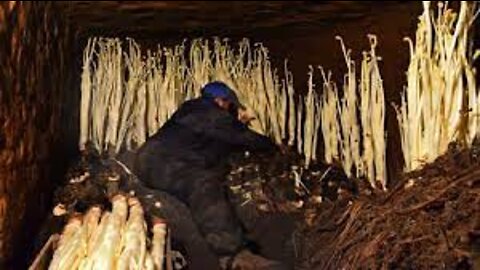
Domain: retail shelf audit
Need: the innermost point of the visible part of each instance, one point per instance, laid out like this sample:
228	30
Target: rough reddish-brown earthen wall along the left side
36	116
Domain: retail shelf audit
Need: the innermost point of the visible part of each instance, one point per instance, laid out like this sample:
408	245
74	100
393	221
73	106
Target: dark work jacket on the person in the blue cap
193	146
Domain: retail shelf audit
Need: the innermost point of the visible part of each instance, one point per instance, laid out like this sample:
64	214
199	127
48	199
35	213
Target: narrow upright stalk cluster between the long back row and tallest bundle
359	116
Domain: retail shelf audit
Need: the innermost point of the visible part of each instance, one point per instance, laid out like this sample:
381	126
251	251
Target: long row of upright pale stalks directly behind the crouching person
127	95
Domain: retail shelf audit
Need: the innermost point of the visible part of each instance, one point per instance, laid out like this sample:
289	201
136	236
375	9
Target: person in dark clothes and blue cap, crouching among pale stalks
188	158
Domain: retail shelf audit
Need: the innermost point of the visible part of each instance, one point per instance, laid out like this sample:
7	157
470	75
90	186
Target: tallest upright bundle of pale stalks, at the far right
440	104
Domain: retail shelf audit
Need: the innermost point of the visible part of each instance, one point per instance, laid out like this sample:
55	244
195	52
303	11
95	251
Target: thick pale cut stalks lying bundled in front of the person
111	240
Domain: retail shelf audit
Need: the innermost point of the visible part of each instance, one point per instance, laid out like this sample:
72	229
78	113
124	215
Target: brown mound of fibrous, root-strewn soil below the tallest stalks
429	220
